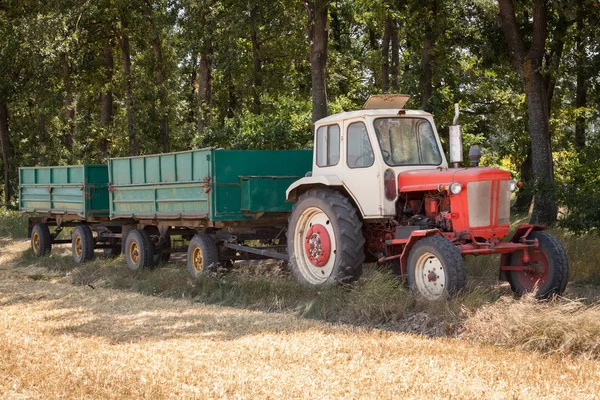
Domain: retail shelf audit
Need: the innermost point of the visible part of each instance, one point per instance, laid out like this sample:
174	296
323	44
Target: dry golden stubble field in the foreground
58	340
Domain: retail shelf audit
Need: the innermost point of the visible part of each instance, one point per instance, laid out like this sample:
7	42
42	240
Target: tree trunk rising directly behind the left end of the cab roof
318	37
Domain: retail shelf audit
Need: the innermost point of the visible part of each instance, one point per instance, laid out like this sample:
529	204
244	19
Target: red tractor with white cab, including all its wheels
381	190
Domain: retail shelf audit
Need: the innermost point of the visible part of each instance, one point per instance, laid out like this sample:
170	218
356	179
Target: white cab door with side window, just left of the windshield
362	168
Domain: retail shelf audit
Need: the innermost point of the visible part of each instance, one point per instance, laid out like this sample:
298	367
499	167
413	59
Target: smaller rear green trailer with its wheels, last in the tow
68	196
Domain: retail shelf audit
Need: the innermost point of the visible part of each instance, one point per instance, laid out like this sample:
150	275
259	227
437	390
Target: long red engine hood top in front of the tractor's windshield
430	179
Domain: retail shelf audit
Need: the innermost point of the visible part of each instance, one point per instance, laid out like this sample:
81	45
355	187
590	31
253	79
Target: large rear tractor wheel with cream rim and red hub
325	240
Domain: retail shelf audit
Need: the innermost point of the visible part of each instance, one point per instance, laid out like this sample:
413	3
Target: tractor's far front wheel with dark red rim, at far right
551	264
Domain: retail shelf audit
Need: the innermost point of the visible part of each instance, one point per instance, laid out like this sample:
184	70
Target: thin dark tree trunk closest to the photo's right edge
581	91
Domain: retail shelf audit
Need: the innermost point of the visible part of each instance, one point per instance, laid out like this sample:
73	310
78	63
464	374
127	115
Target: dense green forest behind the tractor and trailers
83	80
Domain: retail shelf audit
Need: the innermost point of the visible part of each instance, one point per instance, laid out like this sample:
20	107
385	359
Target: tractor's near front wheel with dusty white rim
435	268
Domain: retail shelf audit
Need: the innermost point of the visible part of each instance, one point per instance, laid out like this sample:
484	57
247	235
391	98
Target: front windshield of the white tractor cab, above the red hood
407	141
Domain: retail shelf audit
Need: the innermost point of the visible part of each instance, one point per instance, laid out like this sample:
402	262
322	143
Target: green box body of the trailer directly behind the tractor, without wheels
209	186
